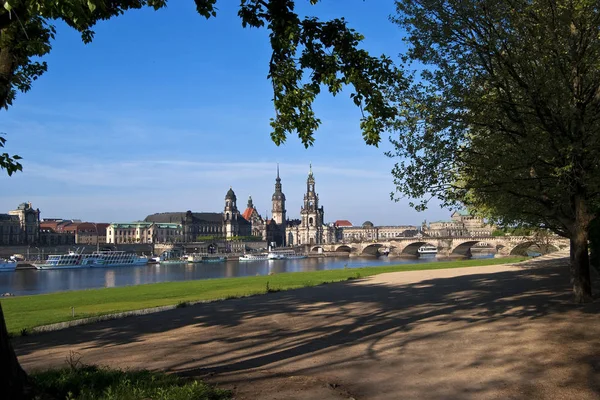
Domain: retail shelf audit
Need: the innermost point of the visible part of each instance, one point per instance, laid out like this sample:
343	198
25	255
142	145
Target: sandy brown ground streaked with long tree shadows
496	332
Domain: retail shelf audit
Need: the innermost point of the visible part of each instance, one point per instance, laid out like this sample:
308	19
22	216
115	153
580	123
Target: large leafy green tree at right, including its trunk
505	117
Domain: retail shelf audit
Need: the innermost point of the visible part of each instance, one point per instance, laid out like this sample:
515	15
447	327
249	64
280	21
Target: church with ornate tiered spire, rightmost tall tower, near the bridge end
311	229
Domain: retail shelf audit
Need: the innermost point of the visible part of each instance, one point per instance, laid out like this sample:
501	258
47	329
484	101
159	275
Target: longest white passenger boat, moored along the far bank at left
97	259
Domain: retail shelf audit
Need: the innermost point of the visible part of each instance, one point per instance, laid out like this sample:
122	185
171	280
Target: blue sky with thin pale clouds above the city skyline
164	111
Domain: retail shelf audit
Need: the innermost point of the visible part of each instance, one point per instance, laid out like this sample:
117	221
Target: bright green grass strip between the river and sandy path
22	313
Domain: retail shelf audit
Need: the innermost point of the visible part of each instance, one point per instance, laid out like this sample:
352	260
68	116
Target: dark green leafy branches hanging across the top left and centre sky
307	55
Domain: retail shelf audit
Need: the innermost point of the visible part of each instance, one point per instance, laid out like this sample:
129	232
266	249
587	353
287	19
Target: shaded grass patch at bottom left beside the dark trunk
96	383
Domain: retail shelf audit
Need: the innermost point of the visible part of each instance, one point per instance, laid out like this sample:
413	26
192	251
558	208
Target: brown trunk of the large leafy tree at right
580	259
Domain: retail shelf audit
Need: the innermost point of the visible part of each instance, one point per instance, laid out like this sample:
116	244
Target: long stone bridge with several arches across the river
446	246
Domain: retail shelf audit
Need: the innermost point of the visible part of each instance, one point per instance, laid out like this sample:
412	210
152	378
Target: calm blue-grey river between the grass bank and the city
30	281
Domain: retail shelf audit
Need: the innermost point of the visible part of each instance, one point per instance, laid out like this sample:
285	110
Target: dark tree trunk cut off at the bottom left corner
13	380
